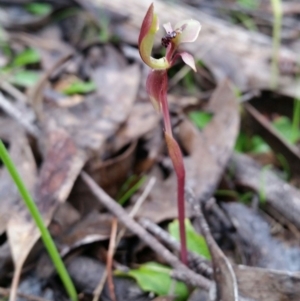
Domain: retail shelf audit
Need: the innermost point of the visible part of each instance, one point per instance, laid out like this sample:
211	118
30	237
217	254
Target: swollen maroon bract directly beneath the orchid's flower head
156	86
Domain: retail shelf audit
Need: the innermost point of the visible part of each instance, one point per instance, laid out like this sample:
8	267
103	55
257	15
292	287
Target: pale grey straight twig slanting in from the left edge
19	117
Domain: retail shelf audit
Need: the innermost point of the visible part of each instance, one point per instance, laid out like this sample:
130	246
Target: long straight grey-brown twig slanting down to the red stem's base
191	277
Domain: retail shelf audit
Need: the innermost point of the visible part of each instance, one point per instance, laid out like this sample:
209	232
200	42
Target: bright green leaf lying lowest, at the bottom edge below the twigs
154	277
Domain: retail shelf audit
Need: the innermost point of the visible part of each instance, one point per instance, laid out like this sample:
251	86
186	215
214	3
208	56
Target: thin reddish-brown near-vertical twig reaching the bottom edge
109	260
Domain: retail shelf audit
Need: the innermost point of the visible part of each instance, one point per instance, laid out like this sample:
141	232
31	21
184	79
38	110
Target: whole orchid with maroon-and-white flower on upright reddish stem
157	84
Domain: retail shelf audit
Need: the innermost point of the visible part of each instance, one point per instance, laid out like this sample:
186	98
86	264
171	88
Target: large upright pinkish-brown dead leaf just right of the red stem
211	149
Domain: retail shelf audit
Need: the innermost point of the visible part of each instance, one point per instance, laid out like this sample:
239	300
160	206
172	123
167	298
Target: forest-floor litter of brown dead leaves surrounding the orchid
81	94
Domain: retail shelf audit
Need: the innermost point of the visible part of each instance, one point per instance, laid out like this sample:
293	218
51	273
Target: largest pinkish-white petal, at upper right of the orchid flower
190	31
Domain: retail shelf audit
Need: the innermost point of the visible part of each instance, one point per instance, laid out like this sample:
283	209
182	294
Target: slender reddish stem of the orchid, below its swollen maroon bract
177	160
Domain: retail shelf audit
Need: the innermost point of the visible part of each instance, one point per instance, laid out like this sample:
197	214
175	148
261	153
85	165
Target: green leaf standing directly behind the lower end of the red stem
195	242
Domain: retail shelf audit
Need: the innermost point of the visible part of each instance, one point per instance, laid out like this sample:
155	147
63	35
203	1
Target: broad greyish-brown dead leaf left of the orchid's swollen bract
91	122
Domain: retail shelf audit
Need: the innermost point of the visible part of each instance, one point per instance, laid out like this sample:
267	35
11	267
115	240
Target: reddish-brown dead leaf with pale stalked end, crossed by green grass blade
62	163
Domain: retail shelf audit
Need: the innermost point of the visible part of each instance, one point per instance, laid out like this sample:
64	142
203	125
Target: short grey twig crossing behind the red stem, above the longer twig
196	262
